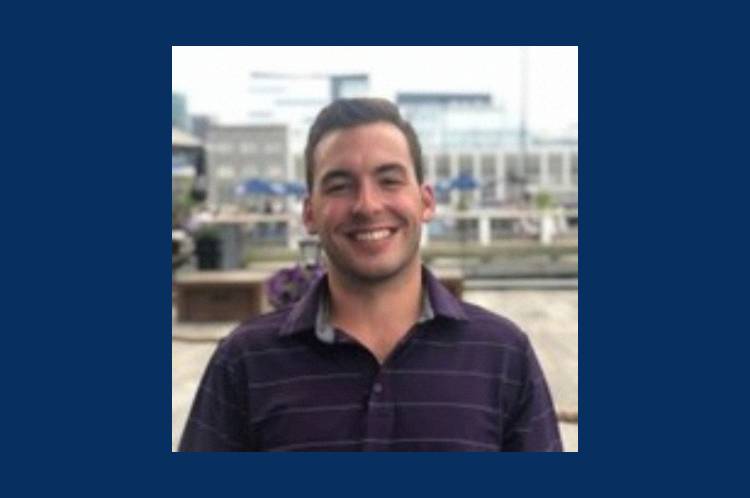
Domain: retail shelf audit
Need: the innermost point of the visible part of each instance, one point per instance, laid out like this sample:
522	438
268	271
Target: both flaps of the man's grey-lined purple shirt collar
311	311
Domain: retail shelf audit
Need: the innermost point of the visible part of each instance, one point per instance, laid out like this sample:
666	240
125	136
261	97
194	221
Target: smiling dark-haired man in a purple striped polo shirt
378	355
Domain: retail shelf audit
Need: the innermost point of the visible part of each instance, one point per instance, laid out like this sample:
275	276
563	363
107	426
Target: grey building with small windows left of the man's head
240	153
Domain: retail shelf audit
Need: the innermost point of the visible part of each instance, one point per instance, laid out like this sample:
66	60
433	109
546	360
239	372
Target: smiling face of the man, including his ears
366	203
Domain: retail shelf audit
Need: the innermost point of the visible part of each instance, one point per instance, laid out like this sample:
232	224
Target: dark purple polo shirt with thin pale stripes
462	379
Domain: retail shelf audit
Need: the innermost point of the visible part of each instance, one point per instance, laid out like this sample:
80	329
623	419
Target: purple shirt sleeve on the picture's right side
532	425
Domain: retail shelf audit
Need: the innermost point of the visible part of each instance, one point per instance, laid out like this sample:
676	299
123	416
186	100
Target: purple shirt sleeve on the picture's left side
219	417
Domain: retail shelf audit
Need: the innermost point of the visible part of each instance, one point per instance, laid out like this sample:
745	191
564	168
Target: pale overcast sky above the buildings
215	80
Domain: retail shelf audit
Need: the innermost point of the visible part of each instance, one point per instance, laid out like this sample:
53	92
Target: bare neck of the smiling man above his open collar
377	315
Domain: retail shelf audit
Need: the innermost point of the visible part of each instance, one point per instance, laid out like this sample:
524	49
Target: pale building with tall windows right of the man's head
468	134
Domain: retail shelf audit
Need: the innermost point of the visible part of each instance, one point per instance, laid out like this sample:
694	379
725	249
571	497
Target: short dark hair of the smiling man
347	113
